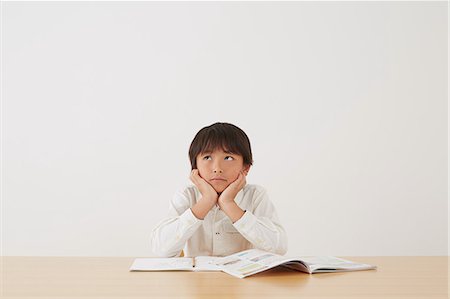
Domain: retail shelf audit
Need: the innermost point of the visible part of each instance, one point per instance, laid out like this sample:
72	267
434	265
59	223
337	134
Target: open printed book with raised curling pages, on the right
252	261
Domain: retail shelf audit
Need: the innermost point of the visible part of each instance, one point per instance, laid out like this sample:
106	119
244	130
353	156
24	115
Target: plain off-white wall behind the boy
345	104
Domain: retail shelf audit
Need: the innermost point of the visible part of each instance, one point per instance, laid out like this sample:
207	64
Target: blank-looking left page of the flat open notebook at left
162	264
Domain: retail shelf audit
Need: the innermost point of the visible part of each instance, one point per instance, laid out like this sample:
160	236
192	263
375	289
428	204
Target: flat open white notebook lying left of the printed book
199	263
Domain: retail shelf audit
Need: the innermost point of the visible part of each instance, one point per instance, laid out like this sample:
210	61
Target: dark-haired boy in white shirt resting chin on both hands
220	214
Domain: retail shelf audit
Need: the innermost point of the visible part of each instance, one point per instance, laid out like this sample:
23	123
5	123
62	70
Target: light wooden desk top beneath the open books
108	277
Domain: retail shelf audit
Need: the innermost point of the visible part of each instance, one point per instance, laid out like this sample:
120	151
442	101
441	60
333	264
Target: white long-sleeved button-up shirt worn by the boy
216	235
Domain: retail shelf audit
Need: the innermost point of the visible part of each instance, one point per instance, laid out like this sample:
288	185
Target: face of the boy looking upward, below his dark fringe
220	168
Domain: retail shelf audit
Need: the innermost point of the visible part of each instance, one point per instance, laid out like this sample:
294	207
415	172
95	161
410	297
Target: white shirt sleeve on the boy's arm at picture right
262	227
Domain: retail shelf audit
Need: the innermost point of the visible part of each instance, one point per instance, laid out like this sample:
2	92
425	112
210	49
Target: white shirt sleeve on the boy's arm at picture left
170	235
